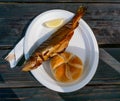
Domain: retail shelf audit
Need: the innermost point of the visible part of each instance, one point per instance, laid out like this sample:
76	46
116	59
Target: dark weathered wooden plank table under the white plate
102	16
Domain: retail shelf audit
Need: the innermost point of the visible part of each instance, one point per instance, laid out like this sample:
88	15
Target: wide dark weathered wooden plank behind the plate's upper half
103	18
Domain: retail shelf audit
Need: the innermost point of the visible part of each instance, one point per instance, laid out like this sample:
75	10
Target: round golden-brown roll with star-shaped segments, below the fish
66	67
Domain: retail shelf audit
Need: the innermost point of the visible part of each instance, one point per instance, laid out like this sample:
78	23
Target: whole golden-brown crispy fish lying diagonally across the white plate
55	44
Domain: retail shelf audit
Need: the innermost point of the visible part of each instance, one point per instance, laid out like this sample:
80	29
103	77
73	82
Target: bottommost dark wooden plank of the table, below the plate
88	93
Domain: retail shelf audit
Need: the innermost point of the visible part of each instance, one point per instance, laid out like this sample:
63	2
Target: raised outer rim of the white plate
95	44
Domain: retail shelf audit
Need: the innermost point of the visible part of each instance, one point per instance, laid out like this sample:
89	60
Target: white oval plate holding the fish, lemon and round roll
83	44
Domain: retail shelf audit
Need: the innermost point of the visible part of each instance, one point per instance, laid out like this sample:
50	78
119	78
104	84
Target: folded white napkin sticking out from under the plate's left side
16	54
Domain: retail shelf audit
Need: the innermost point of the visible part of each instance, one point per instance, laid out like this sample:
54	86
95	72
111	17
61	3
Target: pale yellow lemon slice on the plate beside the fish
54	23
